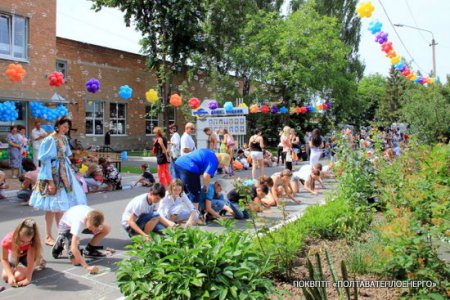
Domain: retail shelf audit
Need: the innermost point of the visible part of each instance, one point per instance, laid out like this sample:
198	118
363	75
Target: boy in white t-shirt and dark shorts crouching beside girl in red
75	221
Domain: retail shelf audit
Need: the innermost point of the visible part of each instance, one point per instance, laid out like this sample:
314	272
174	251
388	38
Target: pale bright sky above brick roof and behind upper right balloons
75	20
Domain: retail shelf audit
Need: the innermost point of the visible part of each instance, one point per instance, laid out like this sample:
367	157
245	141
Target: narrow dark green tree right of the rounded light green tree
389	109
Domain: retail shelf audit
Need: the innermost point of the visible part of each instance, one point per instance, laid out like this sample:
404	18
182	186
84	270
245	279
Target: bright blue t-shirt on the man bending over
199	161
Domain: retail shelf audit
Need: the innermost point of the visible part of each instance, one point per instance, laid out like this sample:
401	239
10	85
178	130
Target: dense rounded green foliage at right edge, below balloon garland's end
428	113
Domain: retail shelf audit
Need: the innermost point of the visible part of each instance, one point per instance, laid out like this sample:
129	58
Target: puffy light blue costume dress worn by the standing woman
55	166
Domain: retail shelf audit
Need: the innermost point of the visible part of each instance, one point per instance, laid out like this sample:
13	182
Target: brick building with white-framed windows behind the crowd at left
28	36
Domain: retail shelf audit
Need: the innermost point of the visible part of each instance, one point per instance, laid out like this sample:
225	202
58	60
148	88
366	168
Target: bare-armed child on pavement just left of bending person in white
281	187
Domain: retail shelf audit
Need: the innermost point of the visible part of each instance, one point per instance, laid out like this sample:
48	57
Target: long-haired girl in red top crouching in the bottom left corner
22	246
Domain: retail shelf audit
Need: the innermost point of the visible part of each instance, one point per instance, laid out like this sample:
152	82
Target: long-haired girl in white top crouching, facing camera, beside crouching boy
176	206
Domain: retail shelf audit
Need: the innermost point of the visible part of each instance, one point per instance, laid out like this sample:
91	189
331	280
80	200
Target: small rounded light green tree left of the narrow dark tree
371	91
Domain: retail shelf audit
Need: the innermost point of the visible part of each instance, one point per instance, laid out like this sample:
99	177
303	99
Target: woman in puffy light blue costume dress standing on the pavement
57	188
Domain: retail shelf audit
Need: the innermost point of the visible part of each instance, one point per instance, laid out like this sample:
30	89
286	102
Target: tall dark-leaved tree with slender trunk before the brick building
171	31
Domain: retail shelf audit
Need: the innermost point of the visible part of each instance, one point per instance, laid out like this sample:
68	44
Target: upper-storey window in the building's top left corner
13	36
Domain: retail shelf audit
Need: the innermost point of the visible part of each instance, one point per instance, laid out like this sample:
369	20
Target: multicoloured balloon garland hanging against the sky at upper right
365	10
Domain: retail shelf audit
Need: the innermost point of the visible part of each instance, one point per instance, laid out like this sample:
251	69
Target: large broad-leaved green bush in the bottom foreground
194	264
